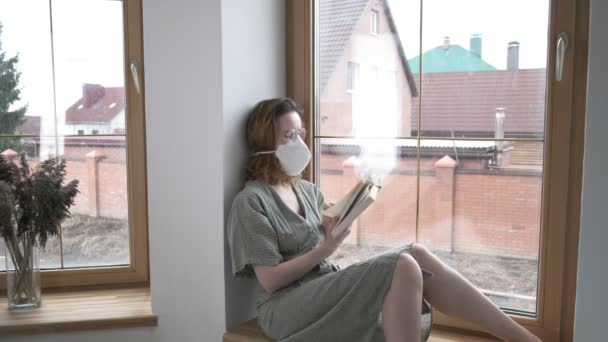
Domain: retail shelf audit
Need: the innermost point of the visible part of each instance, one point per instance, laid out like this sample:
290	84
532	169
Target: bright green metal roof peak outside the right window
453	59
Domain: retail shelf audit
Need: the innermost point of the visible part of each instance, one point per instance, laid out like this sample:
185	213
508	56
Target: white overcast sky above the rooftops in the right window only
498	21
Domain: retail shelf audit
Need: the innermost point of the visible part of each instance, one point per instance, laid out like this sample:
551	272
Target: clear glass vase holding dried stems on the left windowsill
22	273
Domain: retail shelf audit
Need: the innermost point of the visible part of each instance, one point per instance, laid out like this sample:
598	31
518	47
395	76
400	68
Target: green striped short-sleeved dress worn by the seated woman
326	304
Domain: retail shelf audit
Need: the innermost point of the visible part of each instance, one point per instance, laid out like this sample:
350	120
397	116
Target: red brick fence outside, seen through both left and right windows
461	209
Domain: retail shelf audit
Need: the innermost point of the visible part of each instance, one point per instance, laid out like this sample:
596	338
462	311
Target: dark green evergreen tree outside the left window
10	118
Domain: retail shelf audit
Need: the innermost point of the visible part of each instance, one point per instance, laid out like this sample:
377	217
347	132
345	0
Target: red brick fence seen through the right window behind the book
495	214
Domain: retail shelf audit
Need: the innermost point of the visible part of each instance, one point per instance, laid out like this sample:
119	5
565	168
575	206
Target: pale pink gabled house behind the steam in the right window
364	77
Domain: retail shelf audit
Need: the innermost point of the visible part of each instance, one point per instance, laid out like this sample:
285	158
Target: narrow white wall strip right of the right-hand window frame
591	298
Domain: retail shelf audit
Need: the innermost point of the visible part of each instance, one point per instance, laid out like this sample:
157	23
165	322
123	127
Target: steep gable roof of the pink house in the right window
337	22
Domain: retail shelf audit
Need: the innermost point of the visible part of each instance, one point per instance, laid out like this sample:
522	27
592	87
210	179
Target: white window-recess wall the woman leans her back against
253	56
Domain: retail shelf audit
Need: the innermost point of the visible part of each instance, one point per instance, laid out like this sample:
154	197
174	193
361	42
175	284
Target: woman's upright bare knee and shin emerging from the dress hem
403	302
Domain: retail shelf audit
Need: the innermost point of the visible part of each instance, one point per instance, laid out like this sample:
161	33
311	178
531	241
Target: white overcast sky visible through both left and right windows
88	39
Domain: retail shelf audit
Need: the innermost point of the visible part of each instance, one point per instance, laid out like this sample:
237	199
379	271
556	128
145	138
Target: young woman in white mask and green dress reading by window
278	236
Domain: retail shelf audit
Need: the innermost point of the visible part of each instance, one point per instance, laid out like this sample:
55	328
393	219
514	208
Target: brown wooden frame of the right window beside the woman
563	161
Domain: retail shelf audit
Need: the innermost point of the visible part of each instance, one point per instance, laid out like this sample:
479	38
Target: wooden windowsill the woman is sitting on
251	332
